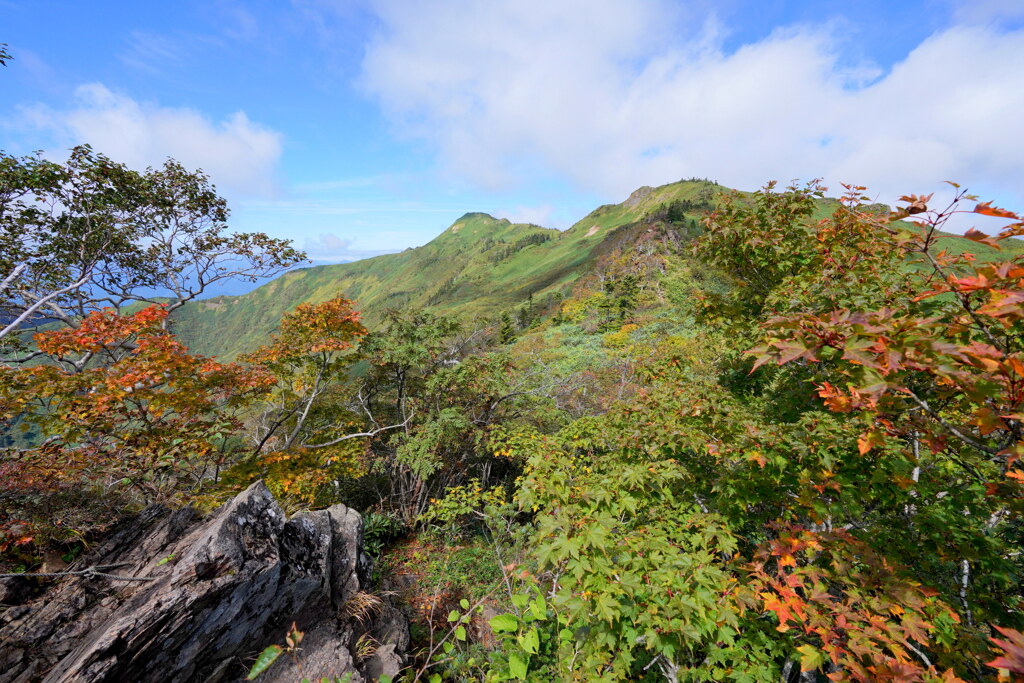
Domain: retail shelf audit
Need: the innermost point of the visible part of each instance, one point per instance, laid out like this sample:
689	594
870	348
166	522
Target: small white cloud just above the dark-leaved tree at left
239	155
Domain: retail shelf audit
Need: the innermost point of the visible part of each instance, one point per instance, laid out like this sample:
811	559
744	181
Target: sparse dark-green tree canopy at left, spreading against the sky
92	233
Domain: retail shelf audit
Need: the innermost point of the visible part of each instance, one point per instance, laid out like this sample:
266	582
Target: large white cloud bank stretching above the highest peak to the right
618	95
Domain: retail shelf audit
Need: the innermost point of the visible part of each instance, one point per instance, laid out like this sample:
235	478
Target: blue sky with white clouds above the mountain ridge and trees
358	129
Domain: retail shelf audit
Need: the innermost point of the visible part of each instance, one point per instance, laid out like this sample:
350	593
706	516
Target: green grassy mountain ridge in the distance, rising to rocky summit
480	267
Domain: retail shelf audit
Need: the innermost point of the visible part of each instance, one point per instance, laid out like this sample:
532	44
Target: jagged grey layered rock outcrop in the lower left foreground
208	595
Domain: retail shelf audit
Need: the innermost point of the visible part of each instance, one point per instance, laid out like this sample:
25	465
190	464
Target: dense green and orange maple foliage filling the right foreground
832	487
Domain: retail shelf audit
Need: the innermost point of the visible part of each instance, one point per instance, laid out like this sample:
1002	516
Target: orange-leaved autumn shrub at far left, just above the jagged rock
146	421
